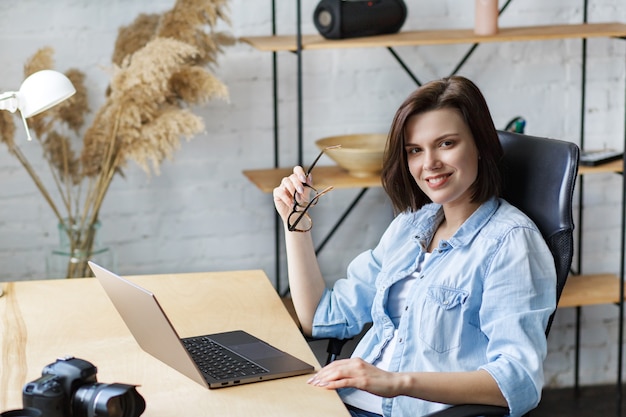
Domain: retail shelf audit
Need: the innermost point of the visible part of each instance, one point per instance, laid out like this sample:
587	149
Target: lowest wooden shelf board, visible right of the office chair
585	290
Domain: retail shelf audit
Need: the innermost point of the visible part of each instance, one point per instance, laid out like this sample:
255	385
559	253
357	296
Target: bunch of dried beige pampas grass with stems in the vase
160	67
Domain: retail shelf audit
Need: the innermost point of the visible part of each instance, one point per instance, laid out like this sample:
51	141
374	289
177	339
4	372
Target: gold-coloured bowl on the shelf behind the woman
360	154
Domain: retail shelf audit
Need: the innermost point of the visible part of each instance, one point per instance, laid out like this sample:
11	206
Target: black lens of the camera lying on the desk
111	400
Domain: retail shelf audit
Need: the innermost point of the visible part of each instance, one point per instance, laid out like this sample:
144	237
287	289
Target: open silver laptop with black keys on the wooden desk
215	361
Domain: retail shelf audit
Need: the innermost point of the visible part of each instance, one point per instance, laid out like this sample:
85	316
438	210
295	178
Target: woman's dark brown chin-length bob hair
457	93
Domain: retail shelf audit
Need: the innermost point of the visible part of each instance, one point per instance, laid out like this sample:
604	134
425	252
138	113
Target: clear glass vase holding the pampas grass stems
77	246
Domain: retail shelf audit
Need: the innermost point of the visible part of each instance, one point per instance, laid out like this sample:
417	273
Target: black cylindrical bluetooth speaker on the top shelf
337	19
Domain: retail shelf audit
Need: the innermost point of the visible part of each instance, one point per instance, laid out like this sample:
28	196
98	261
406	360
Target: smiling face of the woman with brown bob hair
442	156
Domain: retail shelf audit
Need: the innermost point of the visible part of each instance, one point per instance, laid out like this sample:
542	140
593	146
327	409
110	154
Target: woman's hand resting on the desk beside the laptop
357	373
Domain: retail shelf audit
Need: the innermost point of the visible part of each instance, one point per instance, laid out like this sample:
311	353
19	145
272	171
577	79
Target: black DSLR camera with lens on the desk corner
69	388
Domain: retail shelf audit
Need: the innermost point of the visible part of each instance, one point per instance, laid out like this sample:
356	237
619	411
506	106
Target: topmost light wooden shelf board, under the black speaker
441	37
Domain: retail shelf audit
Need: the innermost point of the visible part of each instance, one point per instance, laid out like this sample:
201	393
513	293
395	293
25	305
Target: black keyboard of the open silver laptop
220	363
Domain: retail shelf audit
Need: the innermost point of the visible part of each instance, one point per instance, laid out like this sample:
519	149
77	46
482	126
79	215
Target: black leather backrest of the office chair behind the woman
539	175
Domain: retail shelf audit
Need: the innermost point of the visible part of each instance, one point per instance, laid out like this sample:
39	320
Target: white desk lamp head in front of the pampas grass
38	93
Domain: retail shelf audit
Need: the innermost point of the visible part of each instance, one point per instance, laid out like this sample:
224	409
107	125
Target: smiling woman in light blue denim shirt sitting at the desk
452	254
